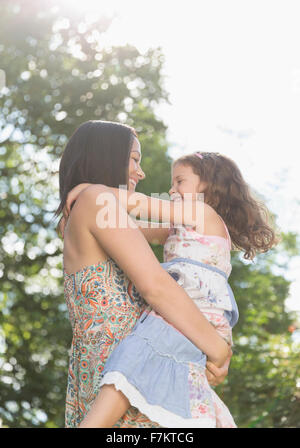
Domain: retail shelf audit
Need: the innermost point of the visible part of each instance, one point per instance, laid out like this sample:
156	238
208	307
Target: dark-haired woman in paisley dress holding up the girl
100	268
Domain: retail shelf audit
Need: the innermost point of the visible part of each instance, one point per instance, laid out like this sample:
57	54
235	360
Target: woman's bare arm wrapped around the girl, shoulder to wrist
127	246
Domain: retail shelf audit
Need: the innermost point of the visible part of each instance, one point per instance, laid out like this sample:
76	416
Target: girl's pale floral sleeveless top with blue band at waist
200	264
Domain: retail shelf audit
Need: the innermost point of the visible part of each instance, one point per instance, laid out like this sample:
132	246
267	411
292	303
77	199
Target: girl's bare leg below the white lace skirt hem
107	409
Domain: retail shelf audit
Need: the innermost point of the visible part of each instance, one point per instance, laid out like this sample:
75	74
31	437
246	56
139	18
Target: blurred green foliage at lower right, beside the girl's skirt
261	388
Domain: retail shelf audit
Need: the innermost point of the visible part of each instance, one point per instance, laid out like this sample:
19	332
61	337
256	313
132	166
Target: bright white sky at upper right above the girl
232	70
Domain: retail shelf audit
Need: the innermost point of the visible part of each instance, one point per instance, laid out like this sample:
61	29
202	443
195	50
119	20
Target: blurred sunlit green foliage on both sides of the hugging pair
58	75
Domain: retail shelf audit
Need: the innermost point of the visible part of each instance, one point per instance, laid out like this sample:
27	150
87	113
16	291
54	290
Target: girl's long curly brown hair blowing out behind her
250	223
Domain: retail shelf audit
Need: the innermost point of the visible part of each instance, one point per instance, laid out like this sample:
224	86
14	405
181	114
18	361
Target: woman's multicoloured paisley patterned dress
103	308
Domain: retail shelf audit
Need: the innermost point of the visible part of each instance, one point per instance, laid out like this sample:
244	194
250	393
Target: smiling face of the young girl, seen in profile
184	180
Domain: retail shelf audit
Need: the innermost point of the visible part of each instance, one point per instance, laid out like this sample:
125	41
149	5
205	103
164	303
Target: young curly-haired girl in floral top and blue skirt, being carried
156	368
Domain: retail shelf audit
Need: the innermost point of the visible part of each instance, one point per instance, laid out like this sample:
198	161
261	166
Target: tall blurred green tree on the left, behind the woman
58	76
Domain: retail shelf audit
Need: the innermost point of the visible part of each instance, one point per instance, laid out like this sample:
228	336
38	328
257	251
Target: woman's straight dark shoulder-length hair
98	153
